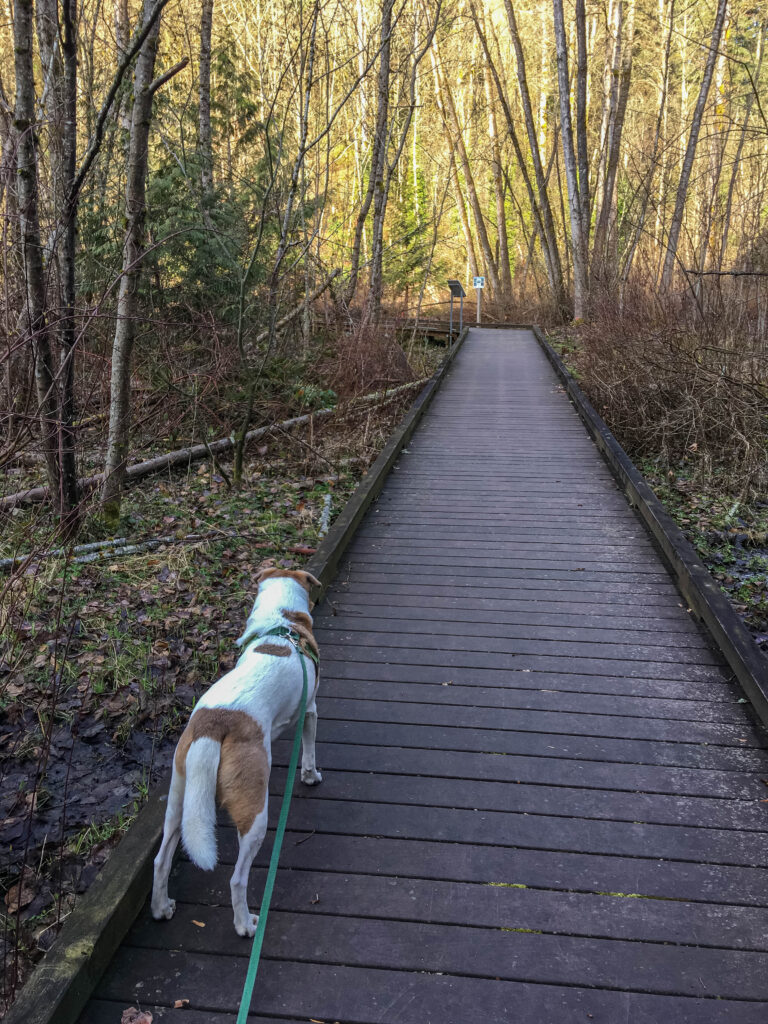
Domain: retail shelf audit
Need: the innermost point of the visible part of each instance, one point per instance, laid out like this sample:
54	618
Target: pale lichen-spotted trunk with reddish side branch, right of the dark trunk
122	350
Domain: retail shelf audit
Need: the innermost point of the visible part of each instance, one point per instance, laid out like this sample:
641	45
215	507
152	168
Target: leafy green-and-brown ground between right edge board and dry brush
726	523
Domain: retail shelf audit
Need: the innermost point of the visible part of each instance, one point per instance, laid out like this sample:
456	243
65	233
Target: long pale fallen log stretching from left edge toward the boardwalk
197	452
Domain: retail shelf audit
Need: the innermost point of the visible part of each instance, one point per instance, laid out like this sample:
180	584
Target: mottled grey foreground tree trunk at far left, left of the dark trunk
35	311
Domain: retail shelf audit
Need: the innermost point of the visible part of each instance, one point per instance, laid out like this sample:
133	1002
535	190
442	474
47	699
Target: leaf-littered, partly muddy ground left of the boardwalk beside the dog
101	662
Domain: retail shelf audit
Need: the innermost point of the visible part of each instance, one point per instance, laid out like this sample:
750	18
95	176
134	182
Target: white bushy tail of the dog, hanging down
199	815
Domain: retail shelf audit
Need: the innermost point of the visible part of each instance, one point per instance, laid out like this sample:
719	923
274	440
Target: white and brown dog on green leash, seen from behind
225	754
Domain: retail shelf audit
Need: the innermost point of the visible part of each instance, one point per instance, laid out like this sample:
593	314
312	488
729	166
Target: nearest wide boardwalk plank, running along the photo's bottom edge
347	994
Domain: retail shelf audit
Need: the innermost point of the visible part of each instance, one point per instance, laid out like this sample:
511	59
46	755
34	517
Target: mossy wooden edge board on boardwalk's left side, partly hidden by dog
66	978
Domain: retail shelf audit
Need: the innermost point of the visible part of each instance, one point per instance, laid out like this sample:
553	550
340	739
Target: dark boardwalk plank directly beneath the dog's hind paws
511	956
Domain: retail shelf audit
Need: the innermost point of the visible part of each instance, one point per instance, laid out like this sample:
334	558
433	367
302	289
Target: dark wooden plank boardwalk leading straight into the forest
543	800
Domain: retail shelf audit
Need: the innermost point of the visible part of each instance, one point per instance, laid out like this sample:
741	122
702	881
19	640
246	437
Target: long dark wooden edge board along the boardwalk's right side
697	585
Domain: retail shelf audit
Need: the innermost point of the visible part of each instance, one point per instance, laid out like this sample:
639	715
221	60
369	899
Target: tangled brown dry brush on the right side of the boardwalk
679	385
